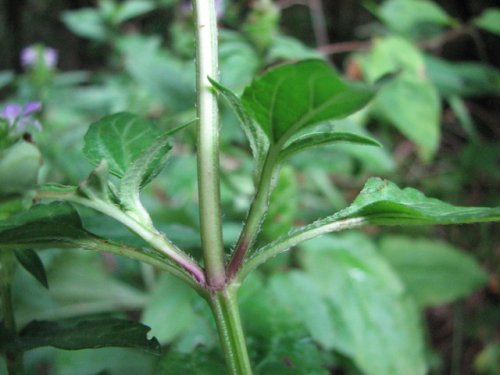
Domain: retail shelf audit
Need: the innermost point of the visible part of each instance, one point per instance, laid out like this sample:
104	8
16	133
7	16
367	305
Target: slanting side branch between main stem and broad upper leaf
256	213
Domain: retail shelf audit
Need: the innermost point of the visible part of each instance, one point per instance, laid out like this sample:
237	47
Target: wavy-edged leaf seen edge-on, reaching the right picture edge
381	202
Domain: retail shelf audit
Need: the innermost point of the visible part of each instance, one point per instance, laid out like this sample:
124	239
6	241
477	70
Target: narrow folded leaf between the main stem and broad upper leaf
256	137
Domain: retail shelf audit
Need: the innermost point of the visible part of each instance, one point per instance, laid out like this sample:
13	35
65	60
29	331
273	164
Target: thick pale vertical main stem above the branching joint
208	143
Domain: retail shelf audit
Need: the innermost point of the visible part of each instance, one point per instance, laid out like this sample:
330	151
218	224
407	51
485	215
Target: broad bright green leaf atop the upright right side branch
291	97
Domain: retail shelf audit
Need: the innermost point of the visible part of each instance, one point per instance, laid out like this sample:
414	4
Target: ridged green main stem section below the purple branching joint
227	317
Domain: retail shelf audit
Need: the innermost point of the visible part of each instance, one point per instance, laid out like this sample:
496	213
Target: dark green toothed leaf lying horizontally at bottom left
79	333
